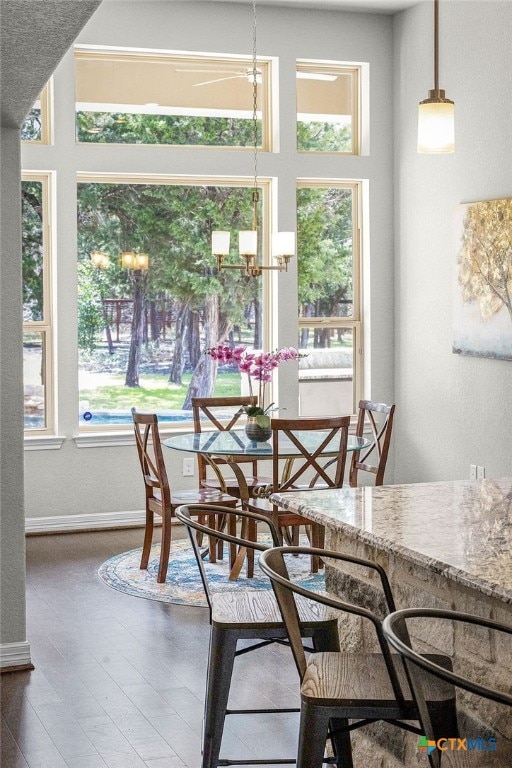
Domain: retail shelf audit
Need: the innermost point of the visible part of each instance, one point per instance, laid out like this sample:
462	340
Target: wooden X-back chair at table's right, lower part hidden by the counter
378	417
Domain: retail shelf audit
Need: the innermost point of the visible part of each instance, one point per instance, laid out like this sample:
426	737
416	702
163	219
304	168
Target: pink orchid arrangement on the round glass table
257	366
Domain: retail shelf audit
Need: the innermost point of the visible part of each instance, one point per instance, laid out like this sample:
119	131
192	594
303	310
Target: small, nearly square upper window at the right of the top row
327	107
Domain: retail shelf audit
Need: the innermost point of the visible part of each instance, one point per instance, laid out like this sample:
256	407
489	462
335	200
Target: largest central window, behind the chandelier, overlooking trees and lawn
145	320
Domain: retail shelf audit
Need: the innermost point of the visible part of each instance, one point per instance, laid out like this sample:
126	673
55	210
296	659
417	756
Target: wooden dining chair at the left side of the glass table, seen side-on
159	497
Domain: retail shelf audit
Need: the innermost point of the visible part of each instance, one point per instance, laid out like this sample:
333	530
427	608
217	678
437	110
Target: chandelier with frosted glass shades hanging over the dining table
282	243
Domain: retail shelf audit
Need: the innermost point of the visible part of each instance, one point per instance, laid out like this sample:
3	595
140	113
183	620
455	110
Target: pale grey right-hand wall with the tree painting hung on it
452	410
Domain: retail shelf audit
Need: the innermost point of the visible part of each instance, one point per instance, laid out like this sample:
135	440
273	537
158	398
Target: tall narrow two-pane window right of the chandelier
329	297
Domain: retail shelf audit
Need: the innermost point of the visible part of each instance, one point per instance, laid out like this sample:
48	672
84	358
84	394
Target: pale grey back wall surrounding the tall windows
85	481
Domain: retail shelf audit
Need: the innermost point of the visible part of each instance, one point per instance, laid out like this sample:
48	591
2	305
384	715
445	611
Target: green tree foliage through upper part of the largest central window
173	224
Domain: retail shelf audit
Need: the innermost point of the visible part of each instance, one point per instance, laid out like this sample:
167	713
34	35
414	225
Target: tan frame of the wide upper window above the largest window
265	63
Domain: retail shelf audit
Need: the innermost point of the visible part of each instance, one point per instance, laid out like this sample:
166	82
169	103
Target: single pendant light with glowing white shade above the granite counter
436	114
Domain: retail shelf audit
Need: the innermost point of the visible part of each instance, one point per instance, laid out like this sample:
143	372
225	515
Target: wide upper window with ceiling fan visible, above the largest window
136	98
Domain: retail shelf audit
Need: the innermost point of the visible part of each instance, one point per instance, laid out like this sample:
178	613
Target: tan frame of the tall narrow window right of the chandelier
355	322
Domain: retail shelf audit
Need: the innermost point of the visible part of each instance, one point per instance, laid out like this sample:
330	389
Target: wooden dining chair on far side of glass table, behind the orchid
224	414
